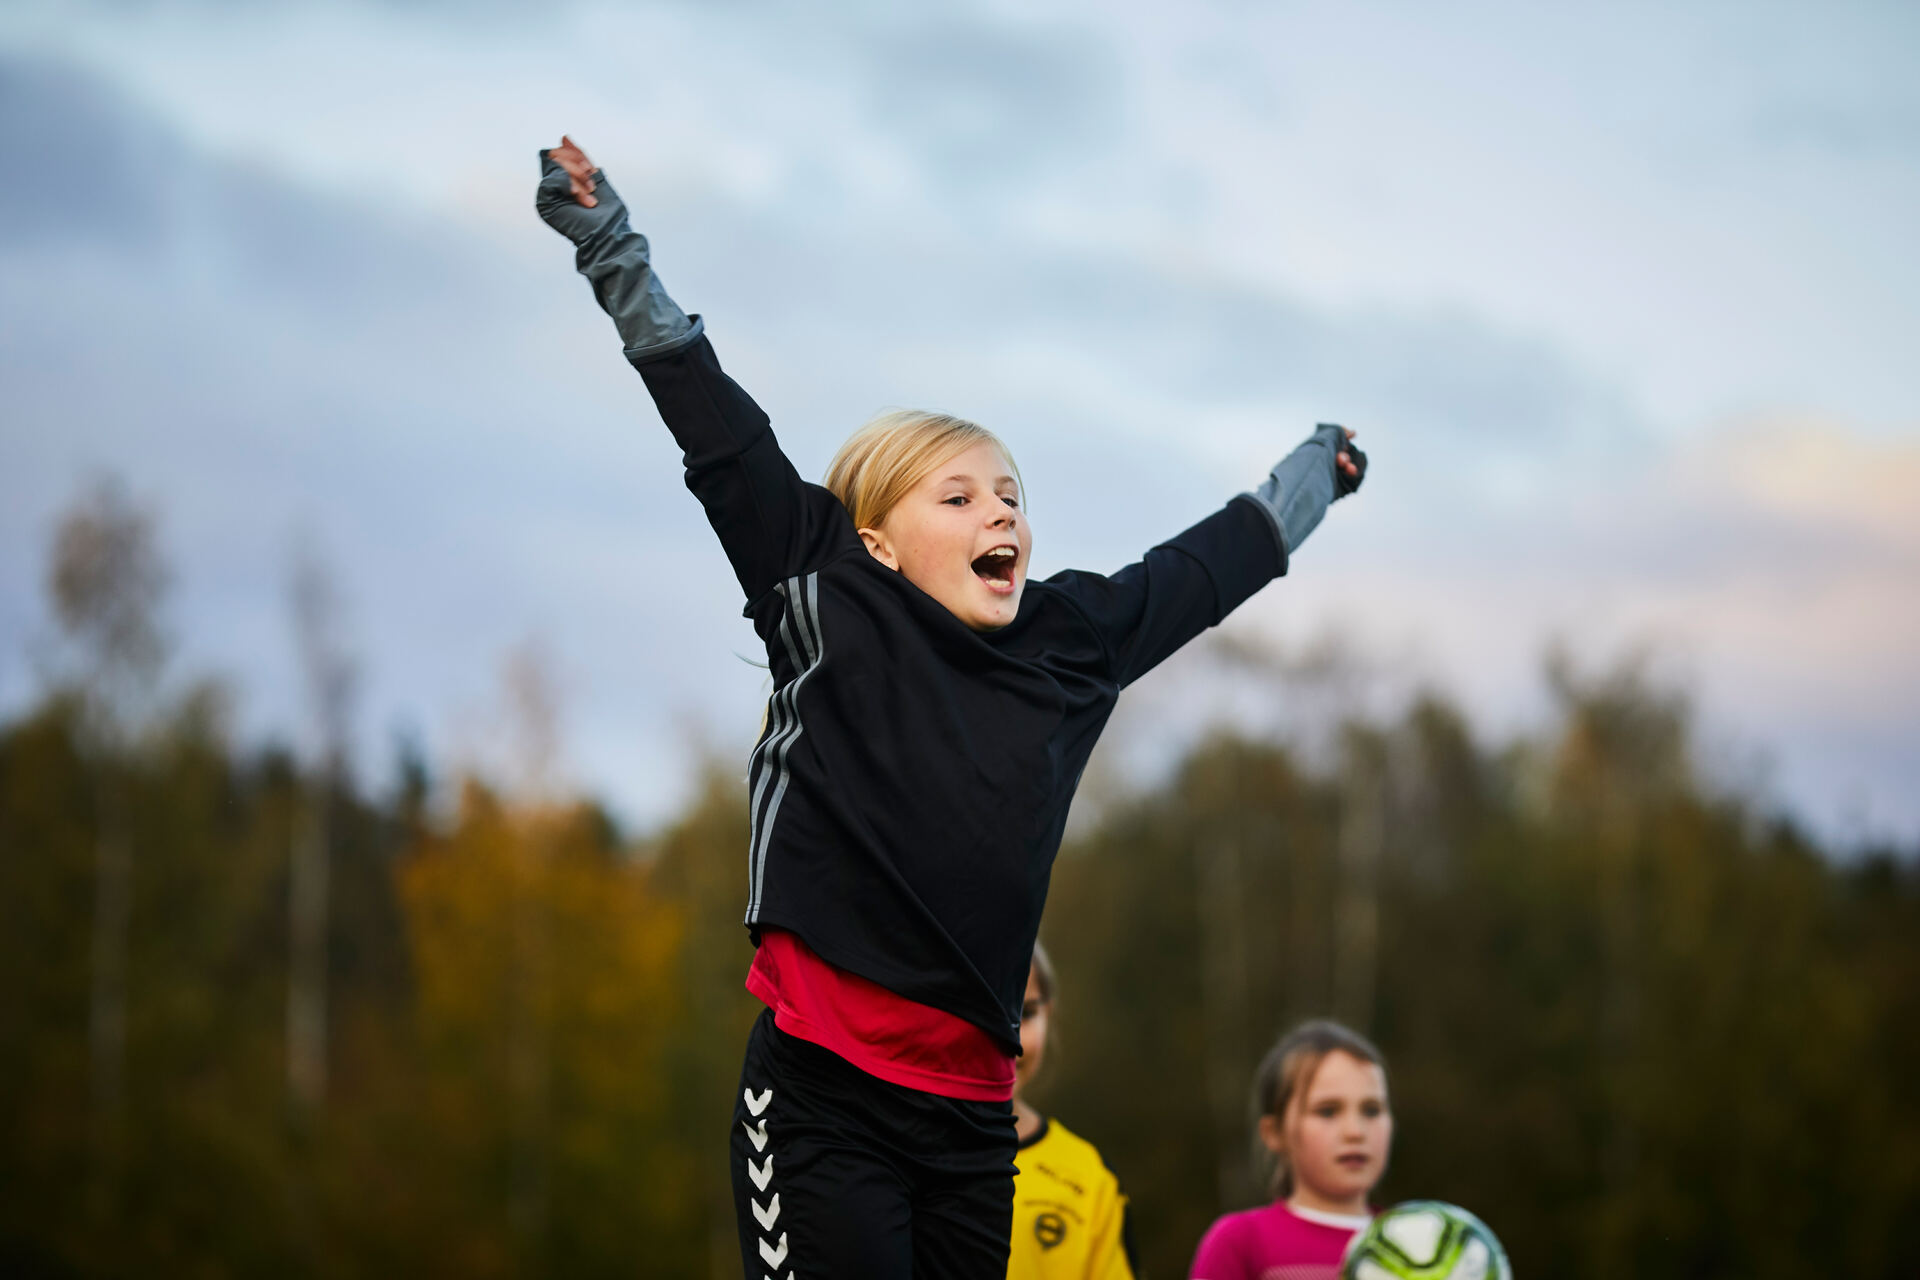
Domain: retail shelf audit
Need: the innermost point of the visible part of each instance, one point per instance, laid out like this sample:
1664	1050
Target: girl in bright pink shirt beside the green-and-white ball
1328	1129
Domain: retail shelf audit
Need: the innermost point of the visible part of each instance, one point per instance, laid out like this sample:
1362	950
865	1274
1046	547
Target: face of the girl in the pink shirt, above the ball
1337	1135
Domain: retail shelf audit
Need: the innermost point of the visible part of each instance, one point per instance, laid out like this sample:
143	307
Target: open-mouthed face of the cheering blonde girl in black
963	538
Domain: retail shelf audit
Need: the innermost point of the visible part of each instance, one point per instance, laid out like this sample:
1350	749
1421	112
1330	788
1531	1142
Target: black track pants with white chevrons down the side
844	1177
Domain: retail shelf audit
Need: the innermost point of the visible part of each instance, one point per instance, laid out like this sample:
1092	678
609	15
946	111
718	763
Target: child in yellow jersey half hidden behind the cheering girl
1070	1220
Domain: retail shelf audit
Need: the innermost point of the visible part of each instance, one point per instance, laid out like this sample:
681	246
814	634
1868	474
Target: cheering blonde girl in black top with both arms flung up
932	715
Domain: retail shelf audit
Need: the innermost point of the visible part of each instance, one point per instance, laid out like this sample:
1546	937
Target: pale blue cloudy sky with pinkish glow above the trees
1623	300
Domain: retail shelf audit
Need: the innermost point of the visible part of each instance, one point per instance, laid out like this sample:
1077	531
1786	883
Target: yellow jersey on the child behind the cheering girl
1070	1220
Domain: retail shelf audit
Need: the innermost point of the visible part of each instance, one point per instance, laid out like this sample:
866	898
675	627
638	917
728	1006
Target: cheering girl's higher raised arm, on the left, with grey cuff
771	523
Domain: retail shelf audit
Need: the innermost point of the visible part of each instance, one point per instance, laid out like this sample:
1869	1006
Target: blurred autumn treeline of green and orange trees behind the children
258	1018
